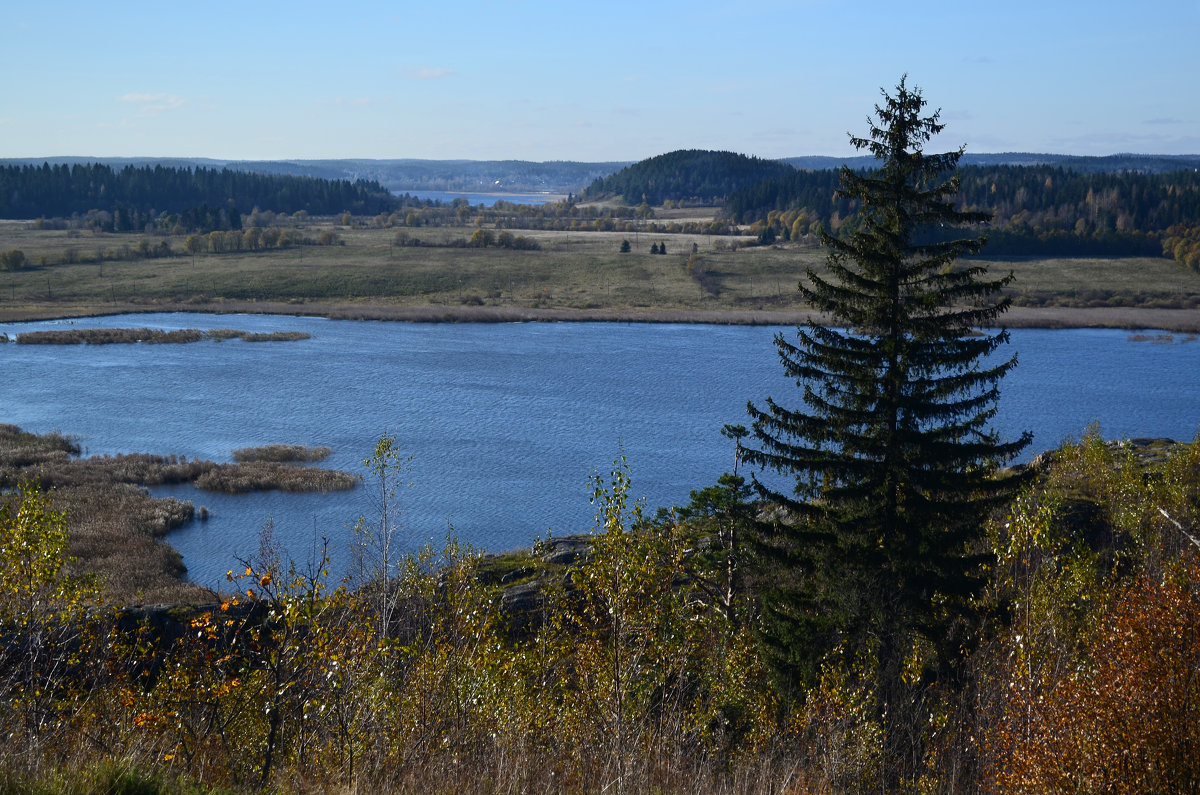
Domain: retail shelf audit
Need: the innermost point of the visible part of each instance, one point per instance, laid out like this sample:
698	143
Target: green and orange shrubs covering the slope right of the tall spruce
1093	685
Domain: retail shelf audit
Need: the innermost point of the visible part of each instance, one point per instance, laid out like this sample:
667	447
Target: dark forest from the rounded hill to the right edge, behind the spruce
1037	210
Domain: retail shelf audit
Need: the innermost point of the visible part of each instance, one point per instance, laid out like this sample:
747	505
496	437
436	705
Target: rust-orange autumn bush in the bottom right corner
1126	716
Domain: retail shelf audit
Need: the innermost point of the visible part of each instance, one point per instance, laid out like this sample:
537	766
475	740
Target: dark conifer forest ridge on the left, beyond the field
63	192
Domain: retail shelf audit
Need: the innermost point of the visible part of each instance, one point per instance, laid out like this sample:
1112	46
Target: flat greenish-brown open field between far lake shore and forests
572	276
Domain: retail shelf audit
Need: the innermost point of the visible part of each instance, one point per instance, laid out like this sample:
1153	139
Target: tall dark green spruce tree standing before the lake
895	464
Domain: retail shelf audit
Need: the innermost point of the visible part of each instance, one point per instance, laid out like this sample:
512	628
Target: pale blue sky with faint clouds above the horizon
611	81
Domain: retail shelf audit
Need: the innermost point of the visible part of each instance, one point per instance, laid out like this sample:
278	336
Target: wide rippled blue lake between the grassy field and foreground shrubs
506	423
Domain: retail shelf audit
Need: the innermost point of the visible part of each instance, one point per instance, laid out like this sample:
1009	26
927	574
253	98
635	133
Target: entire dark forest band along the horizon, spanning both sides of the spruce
1047	211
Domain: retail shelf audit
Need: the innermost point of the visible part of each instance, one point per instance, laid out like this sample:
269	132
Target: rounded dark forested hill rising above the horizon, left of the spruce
692	176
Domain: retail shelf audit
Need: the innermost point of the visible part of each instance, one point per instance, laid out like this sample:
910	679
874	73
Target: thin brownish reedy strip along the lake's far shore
1053	318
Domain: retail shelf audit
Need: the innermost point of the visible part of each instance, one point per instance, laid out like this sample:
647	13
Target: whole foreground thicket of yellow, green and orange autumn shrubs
634	670
